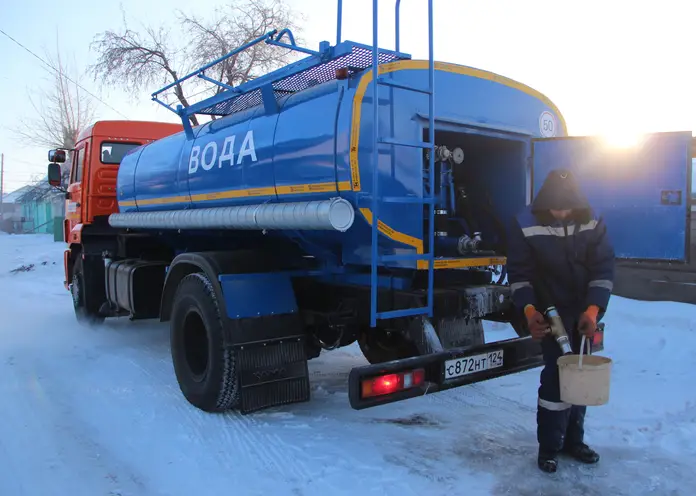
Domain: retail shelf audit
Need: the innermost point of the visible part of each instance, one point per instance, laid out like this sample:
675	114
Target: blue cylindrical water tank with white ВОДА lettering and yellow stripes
317	145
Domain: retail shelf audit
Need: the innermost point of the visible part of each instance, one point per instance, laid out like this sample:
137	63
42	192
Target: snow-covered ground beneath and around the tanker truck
98	412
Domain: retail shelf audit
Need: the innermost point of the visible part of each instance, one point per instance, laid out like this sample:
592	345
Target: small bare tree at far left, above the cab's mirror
60	113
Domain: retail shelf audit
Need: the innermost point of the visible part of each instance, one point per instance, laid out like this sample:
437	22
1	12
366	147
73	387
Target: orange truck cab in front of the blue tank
91	189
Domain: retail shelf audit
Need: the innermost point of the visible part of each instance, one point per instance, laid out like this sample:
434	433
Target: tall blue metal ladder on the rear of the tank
428	197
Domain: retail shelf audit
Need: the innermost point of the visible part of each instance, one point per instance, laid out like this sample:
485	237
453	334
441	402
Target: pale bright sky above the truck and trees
615	67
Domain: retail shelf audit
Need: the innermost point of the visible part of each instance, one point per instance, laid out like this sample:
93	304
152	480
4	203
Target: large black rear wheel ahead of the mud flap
205	370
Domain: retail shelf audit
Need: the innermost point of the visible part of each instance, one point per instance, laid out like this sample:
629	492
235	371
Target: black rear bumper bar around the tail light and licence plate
519	354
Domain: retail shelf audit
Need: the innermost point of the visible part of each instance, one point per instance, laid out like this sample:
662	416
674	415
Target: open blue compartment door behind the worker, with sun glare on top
642	191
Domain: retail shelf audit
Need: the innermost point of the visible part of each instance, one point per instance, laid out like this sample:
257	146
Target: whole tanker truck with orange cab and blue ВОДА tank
353	195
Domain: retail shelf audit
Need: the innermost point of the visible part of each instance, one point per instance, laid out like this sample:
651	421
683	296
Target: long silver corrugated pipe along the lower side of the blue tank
336	214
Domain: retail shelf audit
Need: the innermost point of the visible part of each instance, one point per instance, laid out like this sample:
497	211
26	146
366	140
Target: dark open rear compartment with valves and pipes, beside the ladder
478	190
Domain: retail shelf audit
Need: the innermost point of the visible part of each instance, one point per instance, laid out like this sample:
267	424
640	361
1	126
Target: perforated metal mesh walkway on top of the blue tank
360	58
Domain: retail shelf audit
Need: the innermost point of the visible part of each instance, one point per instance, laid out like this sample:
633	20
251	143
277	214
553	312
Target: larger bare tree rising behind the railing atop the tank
138	60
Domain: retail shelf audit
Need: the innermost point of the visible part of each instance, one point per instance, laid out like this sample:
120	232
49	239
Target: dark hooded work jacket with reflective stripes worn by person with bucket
572	259
